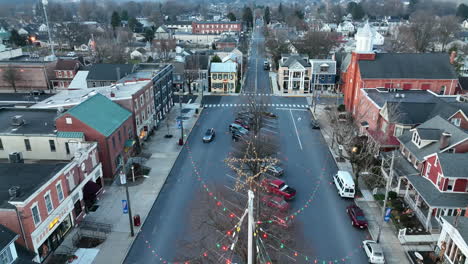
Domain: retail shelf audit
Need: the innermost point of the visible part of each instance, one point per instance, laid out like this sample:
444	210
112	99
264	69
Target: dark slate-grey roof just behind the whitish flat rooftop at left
108	72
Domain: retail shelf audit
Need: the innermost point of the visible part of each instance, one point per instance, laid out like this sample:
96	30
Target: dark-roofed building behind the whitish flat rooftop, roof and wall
106	74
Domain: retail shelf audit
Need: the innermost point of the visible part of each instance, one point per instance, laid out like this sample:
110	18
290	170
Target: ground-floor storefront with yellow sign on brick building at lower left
56	238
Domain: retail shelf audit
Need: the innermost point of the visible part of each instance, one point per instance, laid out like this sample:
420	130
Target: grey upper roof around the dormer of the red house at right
437	122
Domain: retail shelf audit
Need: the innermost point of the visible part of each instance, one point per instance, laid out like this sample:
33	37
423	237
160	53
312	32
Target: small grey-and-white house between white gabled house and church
323	74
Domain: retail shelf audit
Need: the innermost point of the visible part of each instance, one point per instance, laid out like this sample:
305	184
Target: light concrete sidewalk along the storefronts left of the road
164	153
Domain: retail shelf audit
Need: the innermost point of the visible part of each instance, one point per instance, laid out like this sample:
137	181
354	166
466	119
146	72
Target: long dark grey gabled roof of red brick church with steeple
408	66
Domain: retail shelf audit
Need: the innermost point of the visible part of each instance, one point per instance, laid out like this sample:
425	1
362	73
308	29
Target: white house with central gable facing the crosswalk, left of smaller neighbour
294	73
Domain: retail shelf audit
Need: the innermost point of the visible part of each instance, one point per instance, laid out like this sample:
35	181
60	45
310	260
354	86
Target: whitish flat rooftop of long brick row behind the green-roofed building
69	98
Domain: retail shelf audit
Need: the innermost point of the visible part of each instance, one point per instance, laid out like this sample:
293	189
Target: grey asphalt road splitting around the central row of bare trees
172	231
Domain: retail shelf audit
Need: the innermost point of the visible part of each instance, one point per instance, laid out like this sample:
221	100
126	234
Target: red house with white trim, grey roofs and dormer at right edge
431	170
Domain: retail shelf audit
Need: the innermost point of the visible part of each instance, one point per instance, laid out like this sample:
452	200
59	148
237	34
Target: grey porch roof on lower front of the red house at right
435	198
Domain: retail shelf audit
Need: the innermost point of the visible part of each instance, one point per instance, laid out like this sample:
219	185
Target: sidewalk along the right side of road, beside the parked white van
394	252
